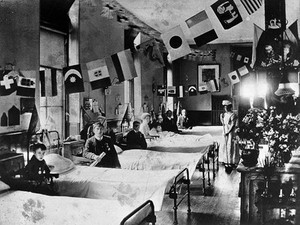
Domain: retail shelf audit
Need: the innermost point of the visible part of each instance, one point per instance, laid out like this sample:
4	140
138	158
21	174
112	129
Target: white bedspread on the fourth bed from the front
181	143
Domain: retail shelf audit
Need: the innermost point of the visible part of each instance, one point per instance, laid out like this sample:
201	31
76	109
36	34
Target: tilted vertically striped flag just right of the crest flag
122	63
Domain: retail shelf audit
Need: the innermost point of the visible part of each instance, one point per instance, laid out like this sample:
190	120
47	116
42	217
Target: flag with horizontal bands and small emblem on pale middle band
98	74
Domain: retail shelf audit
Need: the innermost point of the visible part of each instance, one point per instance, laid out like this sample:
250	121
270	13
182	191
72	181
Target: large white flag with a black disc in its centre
175	42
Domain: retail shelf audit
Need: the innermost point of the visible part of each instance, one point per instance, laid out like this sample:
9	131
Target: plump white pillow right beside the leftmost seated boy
58	164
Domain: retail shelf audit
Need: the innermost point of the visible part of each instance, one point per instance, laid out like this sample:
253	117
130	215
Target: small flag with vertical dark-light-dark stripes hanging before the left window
48	82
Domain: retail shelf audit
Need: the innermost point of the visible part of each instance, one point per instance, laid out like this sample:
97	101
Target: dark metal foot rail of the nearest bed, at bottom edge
149	219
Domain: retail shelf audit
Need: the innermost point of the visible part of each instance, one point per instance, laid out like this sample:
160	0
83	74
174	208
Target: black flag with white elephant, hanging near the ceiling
227	12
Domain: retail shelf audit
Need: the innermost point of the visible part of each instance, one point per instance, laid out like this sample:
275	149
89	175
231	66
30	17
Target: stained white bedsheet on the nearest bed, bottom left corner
26	208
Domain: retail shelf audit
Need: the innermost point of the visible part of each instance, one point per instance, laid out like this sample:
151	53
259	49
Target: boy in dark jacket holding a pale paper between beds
101	149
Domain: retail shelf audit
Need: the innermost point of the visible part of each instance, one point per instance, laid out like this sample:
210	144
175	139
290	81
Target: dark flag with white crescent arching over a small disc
73	79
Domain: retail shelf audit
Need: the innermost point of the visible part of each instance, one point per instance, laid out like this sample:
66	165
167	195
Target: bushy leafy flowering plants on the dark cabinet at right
281	133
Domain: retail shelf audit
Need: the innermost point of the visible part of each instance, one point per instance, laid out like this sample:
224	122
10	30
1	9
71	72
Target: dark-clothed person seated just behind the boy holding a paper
135	139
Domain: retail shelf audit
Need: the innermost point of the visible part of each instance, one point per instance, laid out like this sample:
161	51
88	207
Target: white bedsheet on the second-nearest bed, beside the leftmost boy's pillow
129	187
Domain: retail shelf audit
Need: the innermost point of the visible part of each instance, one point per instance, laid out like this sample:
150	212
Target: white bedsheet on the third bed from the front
141	159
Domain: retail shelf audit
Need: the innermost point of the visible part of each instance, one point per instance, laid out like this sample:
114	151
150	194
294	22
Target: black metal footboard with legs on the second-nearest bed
173	194
